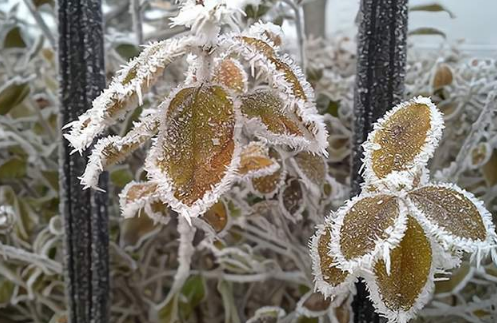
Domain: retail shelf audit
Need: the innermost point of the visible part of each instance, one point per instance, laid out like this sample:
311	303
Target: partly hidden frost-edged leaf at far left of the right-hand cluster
329	279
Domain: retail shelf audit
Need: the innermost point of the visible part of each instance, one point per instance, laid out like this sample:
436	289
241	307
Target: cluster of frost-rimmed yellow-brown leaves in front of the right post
402	230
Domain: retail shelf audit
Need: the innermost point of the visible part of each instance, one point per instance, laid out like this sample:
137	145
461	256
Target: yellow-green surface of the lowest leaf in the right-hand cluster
409	270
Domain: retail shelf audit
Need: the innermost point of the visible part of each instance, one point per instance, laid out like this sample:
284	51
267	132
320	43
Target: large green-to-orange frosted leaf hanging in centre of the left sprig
196	155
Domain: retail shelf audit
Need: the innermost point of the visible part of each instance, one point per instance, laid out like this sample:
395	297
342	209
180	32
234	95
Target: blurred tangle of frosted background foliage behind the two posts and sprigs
254	264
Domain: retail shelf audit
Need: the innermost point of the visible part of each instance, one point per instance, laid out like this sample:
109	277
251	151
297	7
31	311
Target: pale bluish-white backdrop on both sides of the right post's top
475	22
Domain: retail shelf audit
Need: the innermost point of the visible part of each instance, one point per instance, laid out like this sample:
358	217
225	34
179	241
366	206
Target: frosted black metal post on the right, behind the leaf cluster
381	57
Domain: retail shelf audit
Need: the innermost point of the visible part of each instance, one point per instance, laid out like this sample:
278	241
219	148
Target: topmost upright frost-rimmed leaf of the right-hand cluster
402	142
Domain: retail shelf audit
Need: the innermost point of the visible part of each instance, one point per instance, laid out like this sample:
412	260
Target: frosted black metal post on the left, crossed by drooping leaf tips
82	78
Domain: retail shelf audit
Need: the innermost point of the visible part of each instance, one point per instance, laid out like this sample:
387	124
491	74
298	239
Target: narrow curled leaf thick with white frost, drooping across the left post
125	91
